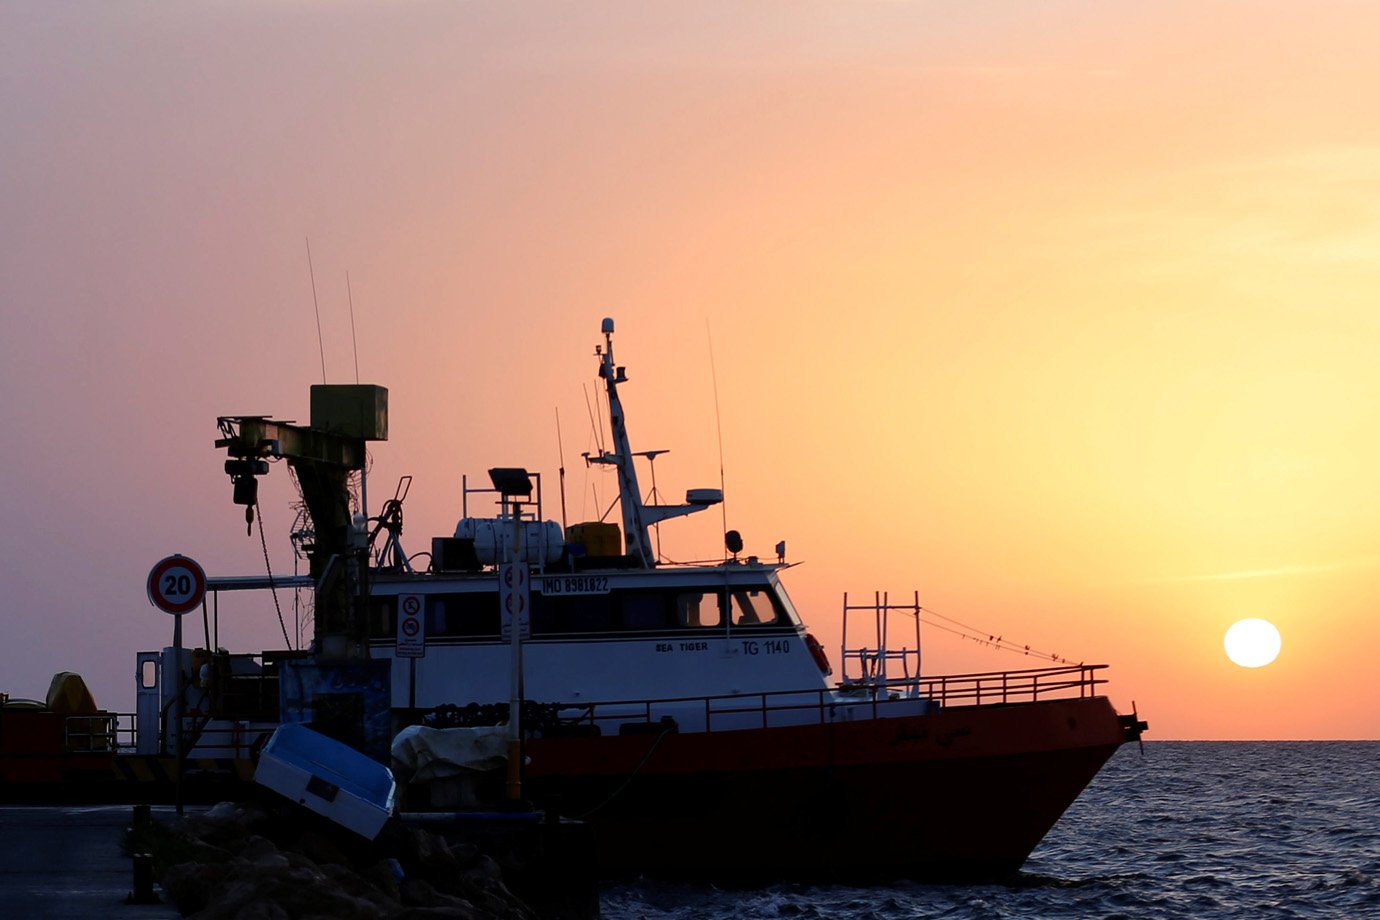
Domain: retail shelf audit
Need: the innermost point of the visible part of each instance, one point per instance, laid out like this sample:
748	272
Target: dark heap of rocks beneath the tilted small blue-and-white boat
256	863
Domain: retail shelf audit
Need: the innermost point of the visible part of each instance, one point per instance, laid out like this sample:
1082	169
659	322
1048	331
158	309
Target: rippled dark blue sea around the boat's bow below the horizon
1186	830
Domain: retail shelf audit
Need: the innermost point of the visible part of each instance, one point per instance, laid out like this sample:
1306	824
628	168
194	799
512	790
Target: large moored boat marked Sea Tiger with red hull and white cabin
684	711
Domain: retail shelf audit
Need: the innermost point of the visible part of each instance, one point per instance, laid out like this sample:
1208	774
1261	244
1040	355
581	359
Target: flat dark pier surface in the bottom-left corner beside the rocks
64	863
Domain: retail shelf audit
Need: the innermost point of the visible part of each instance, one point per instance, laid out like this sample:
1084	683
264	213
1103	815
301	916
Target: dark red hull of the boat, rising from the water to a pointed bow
958	794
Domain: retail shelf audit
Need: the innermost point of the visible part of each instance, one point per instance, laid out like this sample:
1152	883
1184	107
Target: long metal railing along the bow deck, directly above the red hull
845	703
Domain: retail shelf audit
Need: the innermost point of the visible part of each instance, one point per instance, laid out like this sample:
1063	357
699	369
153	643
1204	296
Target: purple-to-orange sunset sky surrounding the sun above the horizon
1063	314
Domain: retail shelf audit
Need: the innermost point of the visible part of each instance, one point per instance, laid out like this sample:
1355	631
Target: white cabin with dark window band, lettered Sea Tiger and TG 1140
608	635
